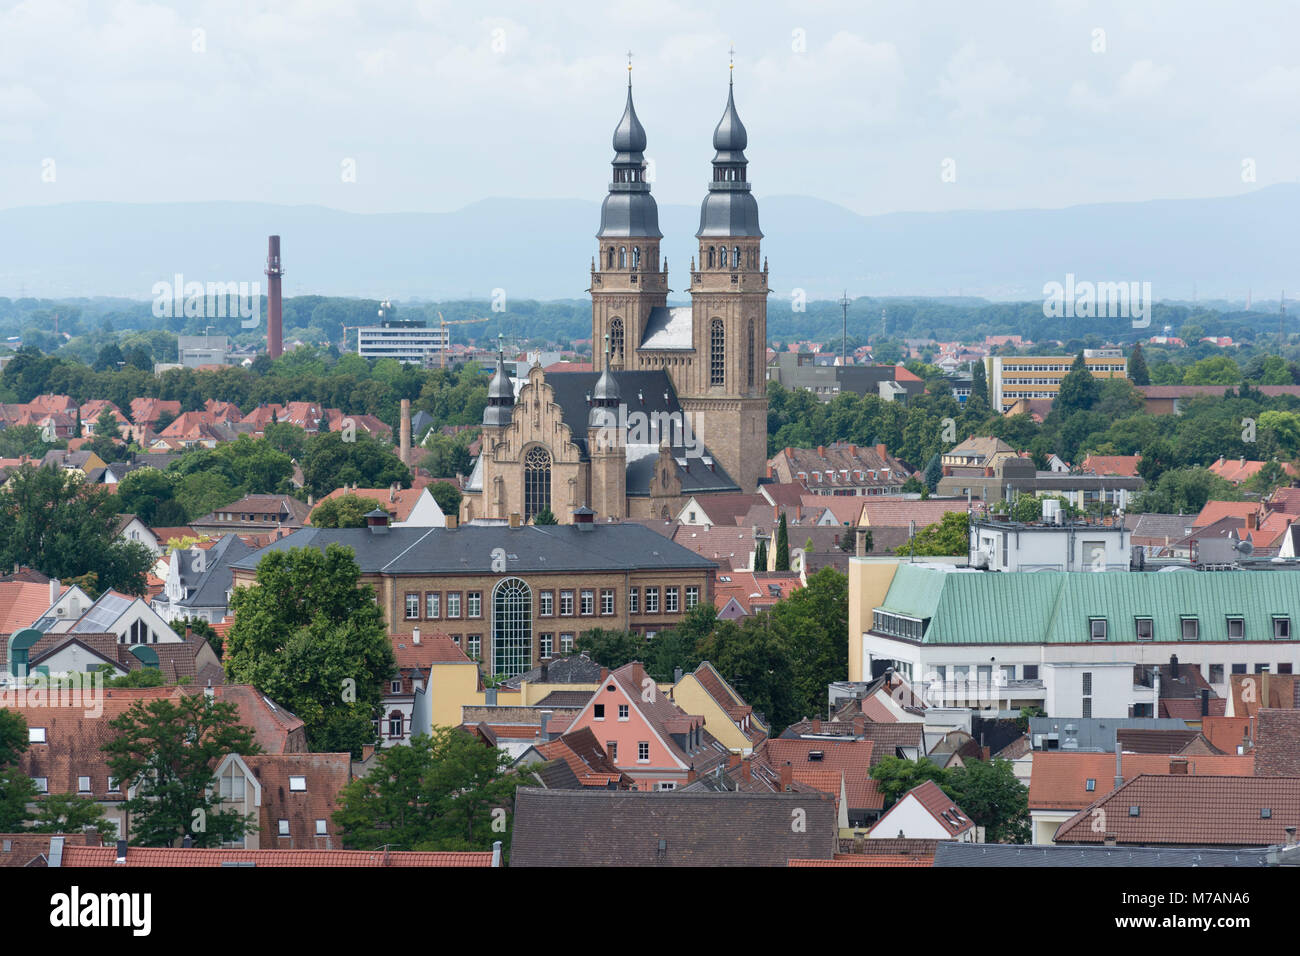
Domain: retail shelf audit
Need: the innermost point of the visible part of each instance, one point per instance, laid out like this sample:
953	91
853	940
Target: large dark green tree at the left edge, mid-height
53	521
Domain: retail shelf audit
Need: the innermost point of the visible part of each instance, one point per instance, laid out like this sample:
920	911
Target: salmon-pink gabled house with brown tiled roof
645	734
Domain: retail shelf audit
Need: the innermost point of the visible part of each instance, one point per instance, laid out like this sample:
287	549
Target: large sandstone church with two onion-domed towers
677	405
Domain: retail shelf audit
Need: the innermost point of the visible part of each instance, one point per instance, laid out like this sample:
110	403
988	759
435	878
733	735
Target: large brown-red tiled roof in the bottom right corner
1193	810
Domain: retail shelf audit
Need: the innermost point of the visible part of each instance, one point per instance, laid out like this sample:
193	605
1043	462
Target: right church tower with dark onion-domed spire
727	393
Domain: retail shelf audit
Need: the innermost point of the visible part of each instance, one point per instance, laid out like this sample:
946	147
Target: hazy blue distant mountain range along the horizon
543	249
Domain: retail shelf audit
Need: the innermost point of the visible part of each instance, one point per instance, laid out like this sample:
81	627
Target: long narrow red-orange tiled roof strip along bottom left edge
194	856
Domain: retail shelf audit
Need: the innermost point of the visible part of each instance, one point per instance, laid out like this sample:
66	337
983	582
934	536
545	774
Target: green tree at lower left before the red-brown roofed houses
167	751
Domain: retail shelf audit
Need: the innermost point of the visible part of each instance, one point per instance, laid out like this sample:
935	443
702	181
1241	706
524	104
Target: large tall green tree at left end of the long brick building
313	639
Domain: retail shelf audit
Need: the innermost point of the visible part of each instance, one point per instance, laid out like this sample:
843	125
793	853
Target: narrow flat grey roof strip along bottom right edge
1012	855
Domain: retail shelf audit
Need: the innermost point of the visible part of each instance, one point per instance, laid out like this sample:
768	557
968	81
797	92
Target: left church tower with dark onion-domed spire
627	276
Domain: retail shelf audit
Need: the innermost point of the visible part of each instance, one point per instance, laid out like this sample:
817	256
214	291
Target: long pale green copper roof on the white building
1056	608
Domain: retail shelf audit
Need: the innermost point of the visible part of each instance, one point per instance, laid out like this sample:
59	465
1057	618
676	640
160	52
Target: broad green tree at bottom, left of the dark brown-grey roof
448	791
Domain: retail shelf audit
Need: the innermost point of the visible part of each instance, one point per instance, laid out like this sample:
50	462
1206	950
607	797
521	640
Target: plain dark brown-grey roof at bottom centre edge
597	828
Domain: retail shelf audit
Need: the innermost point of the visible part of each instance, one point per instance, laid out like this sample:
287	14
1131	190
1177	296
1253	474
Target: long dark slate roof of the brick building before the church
531	550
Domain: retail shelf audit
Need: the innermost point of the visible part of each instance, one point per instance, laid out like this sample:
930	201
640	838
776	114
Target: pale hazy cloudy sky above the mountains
440	105
